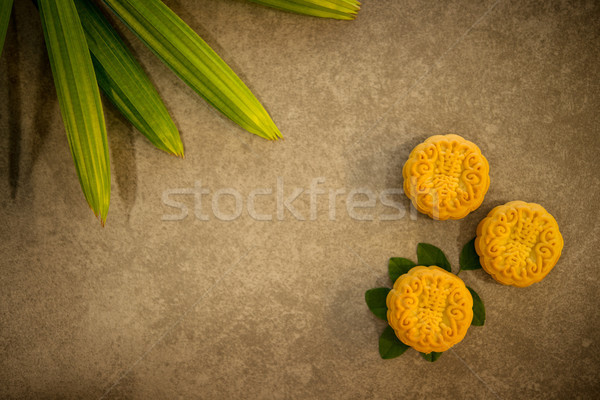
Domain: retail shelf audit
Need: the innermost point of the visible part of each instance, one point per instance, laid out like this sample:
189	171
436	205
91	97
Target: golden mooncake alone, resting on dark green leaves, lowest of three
430	309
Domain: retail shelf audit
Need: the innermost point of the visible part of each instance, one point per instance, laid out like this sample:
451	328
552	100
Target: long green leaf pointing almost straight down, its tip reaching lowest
79	100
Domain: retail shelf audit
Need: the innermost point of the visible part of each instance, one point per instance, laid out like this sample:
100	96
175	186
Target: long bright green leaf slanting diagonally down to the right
178	46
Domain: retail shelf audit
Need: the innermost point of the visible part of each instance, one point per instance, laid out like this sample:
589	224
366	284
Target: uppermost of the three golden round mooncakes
446	177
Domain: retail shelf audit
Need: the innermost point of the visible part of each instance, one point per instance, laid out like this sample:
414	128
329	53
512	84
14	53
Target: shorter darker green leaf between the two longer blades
125	83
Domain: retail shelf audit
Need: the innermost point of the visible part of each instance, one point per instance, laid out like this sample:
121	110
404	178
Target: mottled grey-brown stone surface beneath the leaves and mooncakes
248	309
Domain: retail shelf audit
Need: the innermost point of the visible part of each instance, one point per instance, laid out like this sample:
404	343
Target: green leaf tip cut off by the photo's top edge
337	9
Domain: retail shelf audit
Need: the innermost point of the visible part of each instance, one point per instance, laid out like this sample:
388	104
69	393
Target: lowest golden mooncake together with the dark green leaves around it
429	308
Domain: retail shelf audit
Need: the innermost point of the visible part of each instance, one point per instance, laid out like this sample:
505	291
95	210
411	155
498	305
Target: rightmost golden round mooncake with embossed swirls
518	243
